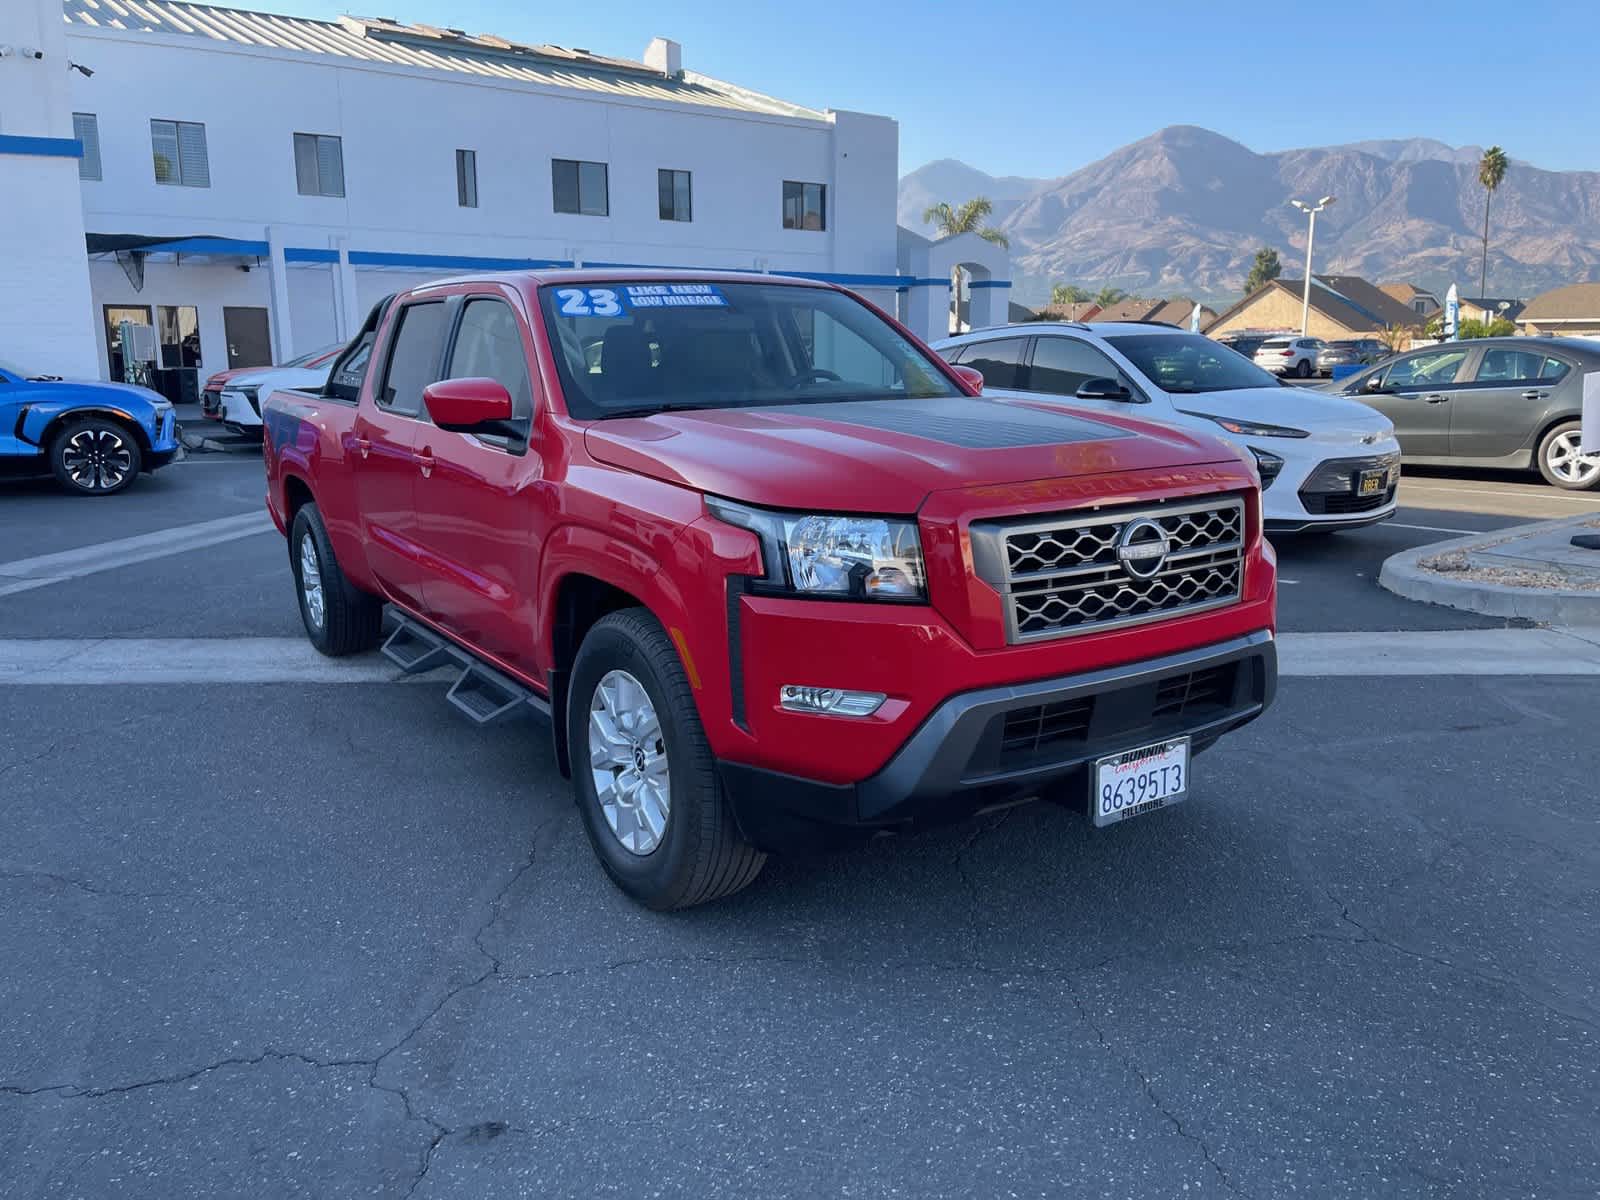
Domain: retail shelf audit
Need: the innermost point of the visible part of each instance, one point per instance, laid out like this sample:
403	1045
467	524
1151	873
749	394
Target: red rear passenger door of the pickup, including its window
385	455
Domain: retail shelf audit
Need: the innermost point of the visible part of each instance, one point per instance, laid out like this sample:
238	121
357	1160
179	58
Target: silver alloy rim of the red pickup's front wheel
628	759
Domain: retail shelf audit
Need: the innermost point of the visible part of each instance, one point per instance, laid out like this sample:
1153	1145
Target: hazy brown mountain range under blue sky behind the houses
1185	210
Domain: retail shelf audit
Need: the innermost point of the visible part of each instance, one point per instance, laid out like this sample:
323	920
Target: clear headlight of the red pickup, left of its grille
841	556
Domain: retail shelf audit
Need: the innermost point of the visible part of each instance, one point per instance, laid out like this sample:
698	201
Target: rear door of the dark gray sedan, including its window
1498	412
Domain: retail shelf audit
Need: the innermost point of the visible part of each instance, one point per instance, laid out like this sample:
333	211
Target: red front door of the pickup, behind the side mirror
478	510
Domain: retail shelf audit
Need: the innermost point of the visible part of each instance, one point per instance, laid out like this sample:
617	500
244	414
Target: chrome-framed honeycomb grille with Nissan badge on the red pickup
1063	575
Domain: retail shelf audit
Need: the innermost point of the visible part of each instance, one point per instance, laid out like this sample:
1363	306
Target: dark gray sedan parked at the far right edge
1494	402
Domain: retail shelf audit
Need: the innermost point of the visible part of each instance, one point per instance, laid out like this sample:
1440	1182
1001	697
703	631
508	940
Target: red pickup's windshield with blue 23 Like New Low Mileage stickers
638	348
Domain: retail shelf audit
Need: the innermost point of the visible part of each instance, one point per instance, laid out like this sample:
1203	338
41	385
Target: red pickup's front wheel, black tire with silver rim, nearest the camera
674	857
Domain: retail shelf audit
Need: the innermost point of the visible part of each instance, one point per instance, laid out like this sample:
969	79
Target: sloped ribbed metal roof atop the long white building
382	41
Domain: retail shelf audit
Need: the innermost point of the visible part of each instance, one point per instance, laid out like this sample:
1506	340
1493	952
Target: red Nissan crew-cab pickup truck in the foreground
777	574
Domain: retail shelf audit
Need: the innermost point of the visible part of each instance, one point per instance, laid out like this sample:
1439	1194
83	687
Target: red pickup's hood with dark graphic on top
884	455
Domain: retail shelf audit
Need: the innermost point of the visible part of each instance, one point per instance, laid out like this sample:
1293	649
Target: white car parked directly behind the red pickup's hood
1326	462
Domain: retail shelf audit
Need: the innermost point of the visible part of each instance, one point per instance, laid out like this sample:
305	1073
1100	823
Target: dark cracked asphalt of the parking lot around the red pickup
327	940
